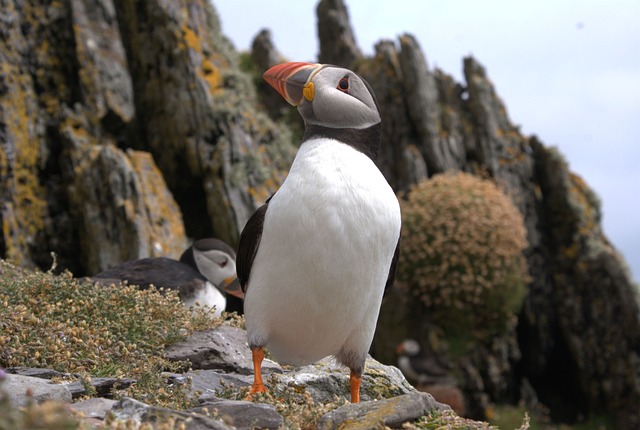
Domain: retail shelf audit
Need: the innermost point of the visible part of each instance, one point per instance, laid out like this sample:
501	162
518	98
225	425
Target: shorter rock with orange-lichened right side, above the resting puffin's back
122	195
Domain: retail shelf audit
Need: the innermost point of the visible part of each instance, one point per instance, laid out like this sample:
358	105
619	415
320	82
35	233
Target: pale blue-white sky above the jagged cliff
568	71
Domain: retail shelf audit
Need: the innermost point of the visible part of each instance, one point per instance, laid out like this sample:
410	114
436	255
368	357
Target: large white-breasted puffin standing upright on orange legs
316	259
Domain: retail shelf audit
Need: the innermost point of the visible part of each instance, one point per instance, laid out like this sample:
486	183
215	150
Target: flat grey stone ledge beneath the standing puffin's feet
221	363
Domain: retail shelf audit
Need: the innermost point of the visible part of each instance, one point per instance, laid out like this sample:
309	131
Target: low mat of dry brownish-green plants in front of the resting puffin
57	322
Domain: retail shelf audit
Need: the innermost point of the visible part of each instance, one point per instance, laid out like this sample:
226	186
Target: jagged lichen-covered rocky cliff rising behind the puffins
128	126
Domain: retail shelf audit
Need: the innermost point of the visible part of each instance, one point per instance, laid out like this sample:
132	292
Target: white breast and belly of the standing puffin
328	240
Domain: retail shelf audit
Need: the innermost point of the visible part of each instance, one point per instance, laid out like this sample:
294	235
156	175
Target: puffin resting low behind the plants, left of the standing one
205	272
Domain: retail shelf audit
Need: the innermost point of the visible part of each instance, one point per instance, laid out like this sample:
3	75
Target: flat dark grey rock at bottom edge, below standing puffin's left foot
243	415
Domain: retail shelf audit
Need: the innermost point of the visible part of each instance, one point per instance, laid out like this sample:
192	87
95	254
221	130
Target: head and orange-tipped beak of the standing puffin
326	96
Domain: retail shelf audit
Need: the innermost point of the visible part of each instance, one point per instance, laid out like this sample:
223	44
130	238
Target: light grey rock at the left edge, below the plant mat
21	389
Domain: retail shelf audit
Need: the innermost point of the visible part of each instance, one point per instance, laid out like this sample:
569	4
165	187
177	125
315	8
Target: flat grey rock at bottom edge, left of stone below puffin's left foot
130	409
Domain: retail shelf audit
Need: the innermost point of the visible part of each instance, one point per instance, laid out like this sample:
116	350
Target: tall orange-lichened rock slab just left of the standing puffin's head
197	114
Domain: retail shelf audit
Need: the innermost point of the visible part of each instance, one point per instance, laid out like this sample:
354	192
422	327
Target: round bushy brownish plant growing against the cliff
462	254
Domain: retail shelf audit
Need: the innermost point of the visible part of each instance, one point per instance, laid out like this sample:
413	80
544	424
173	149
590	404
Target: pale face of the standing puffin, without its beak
339	98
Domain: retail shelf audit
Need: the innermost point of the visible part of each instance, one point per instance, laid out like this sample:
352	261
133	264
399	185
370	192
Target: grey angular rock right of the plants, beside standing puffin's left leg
223	348
